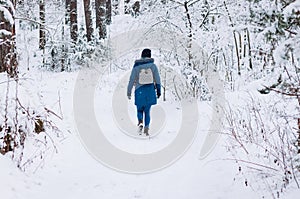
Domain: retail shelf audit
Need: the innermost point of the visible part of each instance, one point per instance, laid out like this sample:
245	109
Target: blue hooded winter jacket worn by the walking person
144	94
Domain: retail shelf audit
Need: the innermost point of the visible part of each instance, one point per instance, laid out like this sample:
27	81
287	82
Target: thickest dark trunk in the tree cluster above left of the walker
101	18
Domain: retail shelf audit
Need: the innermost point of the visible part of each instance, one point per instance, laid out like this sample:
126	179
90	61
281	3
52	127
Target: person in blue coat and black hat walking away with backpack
145	77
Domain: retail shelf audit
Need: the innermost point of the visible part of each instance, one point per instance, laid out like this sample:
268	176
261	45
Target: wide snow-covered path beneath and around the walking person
86	101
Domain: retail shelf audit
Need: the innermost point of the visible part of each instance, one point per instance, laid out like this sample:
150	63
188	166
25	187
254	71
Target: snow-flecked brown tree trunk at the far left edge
8	53
